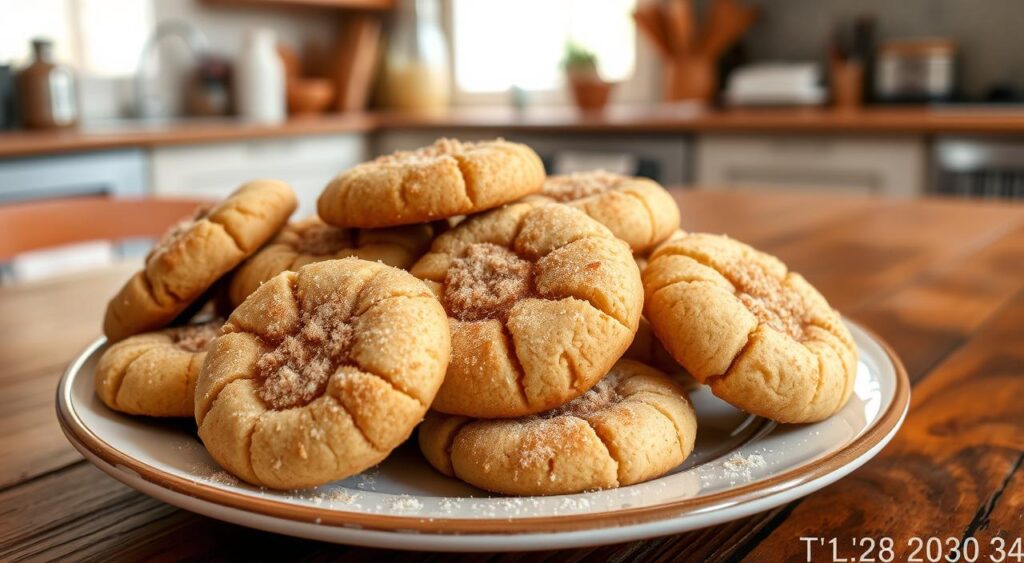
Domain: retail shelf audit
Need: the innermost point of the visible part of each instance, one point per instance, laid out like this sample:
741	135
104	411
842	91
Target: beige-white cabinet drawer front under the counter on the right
891	166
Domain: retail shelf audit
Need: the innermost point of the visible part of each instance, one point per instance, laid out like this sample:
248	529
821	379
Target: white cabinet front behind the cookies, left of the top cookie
215	170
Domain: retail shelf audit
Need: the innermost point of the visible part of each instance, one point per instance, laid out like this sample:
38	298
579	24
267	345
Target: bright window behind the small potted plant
498	45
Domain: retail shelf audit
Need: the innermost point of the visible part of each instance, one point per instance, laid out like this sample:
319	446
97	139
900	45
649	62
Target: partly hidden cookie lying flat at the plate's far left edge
155	374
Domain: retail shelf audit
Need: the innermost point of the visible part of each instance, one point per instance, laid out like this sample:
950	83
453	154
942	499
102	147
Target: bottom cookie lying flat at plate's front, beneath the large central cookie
636	424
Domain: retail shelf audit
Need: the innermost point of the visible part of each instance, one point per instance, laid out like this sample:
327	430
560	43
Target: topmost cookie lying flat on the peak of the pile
446	180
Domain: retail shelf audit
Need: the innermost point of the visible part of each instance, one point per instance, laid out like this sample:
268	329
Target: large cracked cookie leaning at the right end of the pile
760	336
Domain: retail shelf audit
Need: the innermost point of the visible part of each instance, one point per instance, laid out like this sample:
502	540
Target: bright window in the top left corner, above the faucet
100	37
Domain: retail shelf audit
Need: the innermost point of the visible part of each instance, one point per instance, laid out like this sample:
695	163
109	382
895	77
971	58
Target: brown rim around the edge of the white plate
887	423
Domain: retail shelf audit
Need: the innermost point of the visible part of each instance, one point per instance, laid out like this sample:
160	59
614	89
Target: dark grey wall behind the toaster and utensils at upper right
989	32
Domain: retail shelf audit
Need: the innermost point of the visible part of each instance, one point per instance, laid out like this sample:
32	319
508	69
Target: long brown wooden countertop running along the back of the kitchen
661	119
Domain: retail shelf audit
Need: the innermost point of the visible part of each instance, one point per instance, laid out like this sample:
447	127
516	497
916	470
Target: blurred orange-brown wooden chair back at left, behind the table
36	226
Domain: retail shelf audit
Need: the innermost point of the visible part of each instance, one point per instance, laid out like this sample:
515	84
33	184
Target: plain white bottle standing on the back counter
260	79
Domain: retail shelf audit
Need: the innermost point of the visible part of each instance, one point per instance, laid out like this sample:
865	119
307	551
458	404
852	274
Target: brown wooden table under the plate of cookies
942	281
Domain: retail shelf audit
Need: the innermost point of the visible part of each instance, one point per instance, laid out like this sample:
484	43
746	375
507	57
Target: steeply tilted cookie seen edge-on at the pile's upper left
195	254
